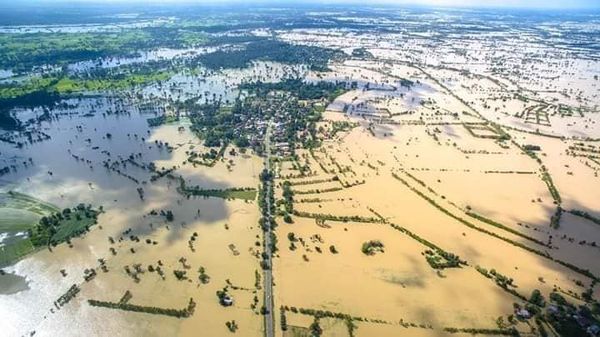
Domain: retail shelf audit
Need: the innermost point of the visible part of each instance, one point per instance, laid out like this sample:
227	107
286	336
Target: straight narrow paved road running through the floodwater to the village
267	274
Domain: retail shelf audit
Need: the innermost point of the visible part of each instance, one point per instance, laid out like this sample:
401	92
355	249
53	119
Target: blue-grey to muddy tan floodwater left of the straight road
69	168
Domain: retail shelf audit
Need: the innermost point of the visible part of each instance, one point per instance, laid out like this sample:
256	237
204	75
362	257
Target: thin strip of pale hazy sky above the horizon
548	4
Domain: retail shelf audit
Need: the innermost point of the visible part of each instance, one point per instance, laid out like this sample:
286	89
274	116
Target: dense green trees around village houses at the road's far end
242	122
